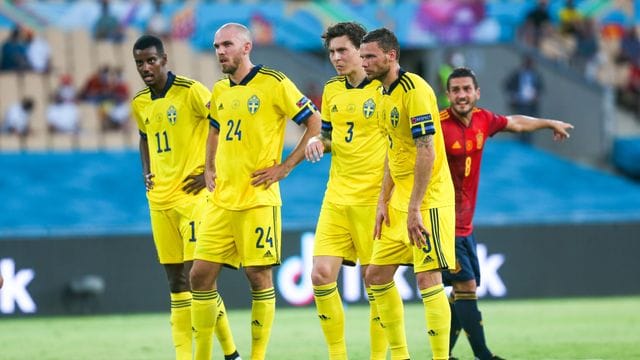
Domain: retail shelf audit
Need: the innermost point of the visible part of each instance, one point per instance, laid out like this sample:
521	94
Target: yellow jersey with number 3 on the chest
358	144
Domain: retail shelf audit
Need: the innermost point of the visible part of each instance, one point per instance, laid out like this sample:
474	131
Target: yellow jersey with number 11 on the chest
175	126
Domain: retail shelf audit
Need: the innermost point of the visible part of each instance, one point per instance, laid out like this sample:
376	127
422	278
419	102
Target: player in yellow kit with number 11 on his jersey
171	113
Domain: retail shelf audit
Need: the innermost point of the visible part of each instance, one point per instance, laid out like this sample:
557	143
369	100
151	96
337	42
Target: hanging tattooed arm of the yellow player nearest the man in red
425	157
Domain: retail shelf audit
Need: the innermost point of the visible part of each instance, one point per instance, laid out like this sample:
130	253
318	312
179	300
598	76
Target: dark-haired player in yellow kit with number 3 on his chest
344	233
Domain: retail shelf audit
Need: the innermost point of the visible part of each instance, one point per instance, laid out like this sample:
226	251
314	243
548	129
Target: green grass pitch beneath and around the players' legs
563	329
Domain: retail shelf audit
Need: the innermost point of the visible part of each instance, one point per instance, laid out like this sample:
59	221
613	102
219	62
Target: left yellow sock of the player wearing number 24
204	311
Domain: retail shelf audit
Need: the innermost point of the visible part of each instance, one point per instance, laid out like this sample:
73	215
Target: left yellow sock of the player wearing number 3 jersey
331	314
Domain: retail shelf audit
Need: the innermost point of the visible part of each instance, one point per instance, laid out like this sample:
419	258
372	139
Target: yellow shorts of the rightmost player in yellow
394	248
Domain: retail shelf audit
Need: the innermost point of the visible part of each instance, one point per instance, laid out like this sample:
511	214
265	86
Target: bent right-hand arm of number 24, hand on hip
270	175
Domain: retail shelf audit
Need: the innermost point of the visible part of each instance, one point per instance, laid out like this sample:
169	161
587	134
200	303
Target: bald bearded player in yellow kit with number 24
242	225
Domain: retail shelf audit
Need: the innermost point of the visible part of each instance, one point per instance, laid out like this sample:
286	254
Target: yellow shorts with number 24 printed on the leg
247	237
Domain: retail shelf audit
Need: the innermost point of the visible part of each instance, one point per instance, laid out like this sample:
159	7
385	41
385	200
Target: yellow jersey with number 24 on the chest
251	119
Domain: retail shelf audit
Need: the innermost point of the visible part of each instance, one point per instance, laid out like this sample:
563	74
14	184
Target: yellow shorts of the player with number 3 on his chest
345	231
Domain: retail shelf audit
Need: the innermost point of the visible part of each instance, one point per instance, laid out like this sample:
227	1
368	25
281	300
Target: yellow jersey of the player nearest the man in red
411	111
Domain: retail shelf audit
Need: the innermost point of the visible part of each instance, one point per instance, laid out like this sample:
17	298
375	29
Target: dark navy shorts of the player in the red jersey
467	266
